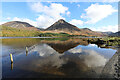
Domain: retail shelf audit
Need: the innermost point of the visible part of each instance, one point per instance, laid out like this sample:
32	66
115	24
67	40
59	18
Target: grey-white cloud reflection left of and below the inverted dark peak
50	56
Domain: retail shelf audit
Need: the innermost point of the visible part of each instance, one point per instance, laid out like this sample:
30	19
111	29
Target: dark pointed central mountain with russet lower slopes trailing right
63	26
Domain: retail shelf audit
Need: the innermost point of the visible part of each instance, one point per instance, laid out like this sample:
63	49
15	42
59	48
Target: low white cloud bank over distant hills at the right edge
113	28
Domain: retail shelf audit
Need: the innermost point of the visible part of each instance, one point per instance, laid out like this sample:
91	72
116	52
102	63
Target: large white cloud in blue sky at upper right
96	12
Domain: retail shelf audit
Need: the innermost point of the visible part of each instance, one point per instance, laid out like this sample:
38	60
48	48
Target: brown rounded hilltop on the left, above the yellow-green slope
20	25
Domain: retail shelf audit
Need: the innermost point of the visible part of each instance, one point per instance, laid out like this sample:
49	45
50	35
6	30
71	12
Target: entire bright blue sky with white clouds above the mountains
98	16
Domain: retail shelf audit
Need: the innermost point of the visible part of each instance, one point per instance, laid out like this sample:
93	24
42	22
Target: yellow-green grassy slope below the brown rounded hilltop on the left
14	32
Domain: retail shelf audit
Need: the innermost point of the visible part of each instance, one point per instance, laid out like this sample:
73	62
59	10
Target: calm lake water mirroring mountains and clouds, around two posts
50	58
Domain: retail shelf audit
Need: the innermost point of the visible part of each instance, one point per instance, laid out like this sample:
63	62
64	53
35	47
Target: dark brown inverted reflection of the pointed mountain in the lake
63	46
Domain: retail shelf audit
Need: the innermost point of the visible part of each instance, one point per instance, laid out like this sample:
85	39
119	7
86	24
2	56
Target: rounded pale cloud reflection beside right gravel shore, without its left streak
94	59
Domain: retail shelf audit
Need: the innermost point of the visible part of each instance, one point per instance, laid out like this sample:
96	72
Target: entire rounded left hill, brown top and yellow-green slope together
18	29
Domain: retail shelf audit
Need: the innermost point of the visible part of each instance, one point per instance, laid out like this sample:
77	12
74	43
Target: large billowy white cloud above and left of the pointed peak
49	14
